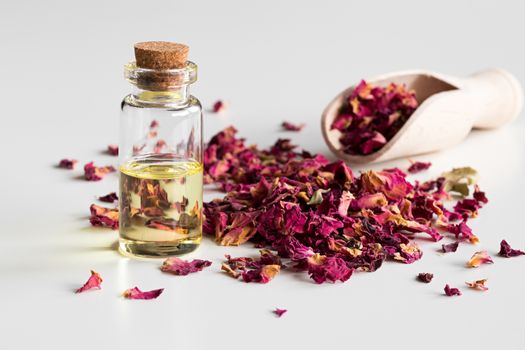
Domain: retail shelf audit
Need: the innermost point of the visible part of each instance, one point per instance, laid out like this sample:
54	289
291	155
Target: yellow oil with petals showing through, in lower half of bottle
160	206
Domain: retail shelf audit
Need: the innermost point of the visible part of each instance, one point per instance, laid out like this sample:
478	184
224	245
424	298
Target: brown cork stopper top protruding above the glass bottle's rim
161	55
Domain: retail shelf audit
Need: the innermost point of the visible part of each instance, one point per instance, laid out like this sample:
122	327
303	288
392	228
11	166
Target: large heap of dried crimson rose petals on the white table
326	220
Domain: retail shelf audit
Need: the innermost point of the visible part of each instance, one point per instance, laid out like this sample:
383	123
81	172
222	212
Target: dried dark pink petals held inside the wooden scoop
372	115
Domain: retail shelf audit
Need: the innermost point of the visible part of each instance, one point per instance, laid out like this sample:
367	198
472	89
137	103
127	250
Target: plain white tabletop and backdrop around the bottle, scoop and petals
61	68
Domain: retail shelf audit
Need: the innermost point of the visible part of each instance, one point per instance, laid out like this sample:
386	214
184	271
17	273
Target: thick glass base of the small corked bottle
144	249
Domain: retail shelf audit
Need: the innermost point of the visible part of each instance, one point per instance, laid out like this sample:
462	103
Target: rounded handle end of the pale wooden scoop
497	97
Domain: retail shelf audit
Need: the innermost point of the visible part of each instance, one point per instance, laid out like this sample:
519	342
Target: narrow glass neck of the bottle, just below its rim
175	97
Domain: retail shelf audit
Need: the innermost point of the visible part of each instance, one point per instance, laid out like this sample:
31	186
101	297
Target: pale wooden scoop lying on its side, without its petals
449	107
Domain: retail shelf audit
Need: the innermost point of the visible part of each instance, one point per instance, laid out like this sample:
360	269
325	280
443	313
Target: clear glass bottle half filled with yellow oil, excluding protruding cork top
160	163
